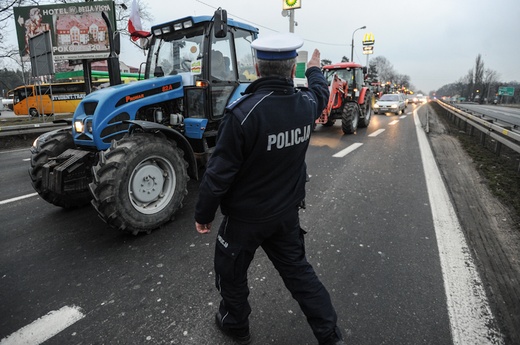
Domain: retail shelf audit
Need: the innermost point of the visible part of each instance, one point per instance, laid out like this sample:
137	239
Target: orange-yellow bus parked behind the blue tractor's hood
49	99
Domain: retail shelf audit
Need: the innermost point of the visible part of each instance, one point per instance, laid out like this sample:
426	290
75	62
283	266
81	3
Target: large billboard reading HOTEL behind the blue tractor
78	30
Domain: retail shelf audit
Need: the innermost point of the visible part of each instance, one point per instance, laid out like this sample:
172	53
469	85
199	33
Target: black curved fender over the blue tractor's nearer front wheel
182	142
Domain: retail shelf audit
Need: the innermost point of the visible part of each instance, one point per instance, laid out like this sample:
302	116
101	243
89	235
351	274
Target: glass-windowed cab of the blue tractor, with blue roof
213	56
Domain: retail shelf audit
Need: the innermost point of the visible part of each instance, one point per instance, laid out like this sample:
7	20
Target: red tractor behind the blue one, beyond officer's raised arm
350	99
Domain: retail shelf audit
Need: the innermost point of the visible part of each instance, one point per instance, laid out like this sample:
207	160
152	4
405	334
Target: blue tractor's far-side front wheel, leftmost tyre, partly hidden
56	142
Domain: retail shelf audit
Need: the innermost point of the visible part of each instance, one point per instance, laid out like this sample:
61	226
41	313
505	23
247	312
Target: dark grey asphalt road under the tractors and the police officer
376	237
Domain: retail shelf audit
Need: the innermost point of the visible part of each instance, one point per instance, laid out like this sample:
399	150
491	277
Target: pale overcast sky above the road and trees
435	42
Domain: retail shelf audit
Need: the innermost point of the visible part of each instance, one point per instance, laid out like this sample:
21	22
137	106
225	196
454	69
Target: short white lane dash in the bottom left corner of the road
45	327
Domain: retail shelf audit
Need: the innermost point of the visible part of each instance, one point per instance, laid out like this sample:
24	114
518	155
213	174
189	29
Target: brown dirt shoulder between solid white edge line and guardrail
490	226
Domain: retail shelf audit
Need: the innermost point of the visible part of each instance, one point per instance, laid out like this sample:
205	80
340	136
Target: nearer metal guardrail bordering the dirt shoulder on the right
502	134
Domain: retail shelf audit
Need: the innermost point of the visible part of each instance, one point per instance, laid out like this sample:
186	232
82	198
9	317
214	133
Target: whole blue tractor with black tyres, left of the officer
132	147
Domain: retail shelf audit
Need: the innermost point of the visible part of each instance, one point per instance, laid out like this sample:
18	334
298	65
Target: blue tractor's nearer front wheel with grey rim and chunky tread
139	182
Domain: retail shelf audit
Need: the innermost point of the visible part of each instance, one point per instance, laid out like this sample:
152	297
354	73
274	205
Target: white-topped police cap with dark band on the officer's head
277	47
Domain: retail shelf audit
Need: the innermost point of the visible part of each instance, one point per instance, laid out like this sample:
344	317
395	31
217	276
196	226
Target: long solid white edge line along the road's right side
471	319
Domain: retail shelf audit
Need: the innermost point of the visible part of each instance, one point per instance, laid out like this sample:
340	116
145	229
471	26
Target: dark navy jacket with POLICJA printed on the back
257	170
